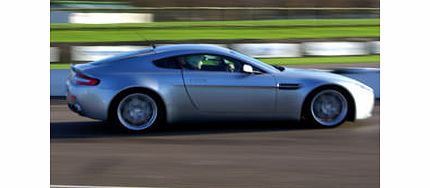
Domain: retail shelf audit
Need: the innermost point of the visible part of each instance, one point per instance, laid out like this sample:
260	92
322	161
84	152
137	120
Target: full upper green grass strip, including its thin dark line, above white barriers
182	31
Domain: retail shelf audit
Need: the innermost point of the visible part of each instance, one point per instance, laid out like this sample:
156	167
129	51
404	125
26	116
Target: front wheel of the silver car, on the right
327	108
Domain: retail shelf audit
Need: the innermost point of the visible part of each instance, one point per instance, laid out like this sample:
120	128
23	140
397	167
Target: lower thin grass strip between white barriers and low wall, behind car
295	61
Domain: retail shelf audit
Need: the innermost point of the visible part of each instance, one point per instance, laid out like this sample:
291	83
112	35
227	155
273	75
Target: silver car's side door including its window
219	84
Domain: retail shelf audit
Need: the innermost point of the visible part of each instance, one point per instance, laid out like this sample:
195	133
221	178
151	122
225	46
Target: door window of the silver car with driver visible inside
205	62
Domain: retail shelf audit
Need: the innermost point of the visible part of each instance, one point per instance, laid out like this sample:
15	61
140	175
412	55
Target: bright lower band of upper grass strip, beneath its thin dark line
212	33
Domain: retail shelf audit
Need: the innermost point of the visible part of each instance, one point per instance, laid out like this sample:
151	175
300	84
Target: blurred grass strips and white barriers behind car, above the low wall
281	32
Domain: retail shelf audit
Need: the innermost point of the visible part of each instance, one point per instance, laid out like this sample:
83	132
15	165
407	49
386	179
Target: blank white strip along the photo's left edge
24	94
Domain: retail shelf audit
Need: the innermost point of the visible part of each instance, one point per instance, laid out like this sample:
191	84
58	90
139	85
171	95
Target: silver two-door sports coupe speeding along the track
177	83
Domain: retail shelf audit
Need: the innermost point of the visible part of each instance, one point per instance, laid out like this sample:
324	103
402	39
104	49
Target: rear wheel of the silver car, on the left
137	112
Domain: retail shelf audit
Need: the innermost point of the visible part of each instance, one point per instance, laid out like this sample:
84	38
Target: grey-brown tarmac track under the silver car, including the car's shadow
266	154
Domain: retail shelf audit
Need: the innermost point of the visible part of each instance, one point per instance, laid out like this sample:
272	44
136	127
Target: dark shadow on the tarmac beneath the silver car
96	129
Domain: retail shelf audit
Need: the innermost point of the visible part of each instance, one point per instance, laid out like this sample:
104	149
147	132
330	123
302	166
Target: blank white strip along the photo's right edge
405	94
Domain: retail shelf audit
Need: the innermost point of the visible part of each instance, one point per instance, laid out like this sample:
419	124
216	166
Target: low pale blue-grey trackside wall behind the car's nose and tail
368	76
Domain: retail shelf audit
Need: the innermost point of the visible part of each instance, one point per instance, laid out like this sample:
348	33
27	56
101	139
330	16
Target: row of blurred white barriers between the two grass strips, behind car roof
258	50
